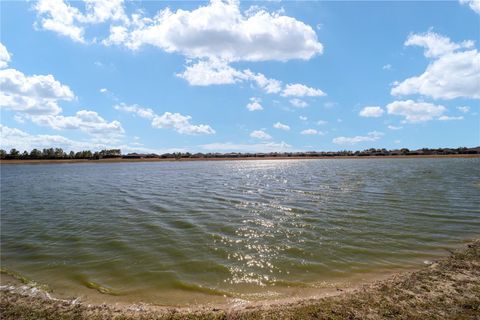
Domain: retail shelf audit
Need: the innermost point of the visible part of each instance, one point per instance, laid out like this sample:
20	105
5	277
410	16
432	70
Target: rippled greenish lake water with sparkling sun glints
178	233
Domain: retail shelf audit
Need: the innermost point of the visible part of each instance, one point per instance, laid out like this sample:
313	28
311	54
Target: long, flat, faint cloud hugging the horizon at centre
257	147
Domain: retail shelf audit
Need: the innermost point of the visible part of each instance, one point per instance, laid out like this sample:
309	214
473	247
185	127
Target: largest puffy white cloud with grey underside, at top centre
220	30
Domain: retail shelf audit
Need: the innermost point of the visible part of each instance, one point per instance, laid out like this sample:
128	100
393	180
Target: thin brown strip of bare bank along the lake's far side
122	160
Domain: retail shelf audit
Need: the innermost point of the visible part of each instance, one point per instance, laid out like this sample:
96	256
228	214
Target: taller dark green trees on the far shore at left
58	153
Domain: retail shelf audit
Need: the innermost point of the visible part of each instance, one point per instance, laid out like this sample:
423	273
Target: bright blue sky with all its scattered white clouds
225	76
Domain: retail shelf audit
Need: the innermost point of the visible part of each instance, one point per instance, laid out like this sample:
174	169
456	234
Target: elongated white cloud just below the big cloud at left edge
87	121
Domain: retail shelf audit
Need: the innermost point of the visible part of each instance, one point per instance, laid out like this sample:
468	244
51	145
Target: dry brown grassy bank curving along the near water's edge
446	289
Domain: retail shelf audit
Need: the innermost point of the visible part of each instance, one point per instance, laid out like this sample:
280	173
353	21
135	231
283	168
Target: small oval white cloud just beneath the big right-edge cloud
415	112
